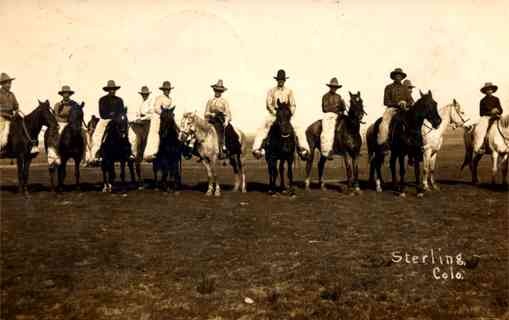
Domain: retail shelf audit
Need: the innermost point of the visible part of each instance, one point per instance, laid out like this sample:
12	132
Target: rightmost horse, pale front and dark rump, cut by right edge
498	145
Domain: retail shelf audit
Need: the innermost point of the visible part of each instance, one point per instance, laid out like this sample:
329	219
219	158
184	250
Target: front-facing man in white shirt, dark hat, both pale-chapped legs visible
284	95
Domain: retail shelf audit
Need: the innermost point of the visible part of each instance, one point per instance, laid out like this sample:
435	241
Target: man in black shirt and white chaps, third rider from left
109	107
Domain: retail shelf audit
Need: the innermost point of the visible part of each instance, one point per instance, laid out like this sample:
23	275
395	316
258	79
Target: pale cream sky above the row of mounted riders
449	46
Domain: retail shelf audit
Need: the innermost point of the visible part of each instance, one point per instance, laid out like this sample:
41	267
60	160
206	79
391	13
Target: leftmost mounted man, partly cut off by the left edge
9	108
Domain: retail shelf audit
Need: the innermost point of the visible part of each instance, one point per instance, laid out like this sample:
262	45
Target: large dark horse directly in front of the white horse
402	142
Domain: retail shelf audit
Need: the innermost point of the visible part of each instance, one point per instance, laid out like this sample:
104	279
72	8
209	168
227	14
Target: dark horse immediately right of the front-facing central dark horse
347	142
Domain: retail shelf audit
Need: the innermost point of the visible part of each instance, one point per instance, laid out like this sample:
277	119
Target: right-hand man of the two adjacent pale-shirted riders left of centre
164	101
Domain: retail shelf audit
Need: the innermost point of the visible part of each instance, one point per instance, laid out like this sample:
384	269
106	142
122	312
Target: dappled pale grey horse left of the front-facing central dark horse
206	149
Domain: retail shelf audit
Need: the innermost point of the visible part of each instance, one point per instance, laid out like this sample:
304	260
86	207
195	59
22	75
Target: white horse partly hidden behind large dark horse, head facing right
432	139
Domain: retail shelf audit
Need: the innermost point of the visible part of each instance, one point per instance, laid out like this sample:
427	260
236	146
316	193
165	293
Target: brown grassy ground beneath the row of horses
324	255
